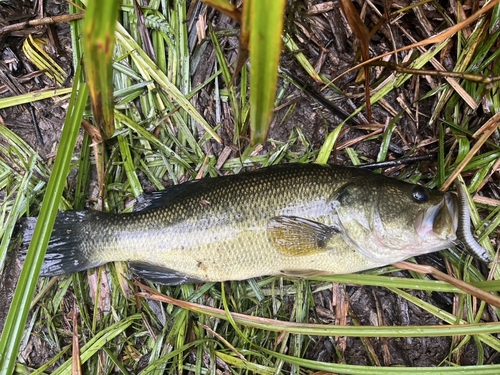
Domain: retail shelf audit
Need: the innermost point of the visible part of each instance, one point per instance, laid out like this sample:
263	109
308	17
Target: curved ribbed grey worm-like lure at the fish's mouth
464	233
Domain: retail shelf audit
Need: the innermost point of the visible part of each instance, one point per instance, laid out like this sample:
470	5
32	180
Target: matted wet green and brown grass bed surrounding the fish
182	110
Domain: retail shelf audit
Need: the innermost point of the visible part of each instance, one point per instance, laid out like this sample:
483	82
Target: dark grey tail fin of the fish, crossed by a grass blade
66	251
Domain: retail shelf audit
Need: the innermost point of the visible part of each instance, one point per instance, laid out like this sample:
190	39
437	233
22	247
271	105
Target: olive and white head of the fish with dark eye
389	220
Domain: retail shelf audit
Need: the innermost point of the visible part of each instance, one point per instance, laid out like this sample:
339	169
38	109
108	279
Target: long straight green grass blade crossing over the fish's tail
18	312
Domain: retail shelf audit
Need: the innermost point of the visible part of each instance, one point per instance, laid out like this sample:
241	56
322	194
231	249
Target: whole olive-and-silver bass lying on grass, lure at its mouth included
298	220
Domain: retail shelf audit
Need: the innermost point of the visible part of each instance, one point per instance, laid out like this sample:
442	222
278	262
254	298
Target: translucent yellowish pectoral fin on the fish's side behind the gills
294	236
